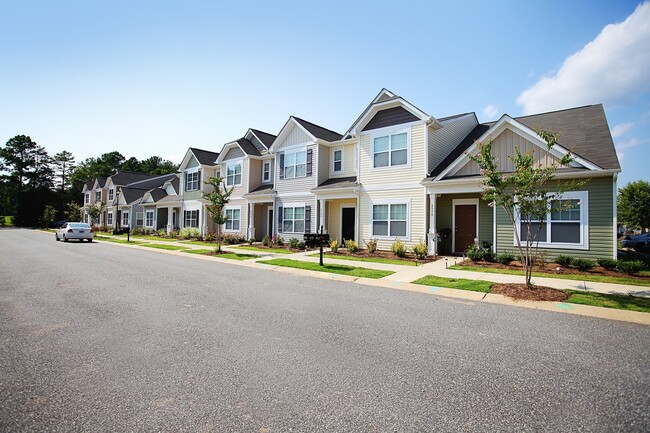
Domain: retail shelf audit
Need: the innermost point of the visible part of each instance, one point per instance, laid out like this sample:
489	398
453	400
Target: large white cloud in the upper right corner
613	68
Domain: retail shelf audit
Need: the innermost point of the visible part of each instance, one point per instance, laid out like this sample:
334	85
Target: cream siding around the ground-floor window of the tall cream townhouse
416	214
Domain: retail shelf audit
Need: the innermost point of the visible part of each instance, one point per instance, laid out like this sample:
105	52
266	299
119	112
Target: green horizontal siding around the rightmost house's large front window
601	224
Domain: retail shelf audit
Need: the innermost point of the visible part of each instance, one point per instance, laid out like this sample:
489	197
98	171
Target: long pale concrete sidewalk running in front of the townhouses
408	274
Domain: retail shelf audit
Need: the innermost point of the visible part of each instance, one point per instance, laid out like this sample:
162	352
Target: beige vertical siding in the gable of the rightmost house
504	146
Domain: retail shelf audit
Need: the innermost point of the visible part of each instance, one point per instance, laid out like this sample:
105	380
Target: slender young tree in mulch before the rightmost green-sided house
525	194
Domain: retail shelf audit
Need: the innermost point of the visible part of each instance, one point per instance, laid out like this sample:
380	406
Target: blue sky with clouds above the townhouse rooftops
154	77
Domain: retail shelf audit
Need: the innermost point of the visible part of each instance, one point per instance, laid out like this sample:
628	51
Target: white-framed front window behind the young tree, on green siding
565	225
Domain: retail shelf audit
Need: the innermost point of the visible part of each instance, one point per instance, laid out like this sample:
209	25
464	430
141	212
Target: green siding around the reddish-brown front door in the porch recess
444	217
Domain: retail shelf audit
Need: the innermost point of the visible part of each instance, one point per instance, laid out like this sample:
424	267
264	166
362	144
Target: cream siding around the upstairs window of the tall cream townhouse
411	173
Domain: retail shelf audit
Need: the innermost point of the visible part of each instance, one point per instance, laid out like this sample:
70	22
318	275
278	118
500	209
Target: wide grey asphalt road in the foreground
97	337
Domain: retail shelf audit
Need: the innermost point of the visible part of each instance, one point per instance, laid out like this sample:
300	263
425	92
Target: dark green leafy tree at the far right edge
634	205
